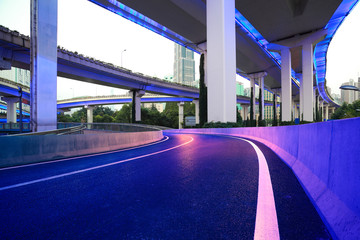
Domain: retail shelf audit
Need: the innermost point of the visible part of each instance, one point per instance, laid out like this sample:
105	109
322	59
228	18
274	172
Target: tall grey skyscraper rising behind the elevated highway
184	65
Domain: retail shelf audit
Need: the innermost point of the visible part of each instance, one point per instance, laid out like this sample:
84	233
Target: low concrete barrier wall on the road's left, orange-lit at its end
18	150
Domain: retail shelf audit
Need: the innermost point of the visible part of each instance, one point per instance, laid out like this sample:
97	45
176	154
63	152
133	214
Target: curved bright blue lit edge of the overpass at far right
321	48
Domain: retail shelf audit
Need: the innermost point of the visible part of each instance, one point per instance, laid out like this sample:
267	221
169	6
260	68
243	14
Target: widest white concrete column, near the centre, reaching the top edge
221	60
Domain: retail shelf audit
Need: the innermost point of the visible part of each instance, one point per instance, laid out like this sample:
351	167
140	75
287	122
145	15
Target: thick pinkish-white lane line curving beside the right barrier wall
266	224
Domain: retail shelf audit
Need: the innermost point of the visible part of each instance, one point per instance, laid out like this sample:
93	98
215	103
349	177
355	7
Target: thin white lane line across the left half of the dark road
92	168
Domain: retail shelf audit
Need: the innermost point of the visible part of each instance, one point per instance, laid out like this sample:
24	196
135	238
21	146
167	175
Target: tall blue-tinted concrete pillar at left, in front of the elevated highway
43	65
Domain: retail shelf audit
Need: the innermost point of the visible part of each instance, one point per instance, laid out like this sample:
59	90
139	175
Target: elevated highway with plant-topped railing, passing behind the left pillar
15	48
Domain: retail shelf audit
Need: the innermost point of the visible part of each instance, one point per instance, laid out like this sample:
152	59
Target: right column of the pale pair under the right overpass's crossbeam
307	67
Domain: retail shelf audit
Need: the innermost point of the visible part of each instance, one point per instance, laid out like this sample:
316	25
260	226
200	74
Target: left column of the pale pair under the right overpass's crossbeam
286	84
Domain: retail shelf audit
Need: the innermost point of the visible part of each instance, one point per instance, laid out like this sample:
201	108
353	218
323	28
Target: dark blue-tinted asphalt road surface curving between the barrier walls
184	187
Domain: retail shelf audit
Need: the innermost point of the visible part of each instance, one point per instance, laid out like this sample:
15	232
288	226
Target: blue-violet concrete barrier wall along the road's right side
326	159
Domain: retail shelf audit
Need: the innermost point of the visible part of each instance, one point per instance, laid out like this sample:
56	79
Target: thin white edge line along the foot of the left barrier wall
83	156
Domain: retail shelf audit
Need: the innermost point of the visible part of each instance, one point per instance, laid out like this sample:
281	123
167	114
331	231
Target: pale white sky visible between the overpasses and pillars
96	32
